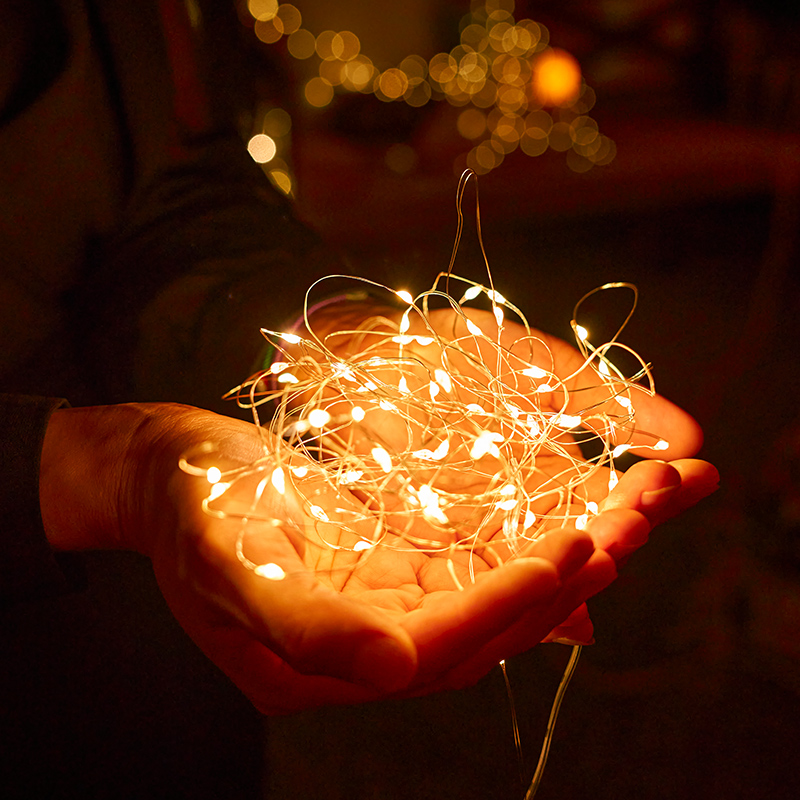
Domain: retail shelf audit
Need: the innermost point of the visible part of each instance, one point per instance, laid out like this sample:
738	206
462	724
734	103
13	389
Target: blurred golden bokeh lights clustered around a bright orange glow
517	92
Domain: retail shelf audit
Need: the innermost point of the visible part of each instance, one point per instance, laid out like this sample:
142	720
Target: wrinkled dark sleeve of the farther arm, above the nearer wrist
208	255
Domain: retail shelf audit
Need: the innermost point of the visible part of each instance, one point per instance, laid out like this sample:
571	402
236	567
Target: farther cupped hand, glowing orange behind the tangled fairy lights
467	434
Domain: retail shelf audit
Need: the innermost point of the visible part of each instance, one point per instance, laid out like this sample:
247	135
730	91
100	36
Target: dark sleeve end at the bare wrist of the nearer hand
28	567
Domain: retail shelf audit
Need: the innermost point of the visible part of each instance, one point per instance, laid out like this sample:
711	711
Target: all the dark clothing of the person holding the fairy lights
141	251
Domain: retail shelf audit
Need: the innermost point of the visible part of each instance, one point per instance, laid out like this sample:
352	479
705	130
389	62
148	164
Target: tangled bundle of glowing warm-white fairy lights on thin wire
439	438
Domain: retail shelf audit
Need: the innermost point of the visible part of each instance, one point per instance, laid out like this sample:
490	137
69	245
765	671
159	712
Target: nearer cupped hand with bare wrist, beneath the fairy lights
324	634
